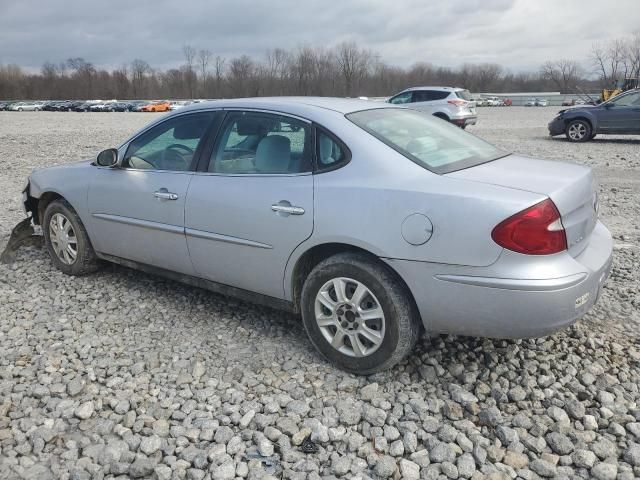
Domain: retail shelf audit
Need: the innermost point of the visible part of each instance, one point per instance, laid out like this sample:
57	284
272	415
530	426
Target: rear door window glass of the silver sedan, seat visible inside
255	143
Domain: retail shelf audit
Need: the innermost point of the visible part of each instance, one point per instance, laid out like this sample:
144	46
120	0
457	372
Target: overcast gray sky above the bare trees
518	34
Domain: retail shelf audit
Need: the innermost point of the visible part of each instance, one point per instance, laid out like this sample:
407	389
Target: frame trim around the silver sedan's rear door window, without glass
203	166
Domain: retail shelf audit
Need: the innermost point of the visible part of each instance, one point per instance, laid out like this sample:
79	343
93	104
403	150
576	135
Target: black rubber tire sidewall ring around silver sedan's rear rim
381	291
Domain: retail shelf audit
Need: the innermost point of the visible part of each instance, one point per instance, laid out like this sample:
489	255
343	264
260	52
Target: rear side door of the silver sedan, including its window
254	204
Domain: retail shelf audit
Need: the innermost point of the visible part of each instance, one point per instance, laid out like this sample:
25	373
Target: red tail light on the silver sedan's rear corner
537	230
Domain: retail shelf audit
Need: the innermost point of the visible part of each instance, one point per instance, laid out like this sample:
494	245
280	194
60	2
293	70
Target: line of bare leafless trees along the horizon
344	70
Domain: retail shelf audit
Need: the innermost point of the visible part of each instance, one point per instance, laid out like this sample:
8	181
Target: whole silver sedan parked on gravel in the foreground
373	222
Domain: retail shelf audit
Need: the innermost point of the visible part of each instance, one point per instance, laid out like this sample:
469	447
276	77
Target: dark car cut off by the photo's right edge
618	116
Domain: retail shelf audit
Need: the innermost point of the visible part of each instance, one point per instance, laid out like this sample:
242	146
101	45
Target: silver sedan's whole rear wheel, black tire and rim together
394	319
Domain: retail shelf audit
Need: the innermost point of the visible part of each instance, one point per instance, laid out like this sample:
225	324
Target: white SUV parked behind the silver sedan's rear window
452	104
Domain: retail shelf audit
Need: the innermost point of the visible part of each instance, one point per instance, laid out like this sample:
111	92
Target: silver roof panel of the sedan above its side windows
291	104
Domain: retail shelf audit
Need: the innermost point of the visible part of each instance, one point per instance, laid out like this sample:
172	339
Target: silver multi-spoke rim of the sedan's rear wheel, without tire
350	317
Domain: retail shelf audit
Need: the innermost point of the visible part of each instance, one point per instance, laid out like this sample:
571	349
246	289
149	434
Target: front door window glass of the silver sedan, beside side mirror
170	145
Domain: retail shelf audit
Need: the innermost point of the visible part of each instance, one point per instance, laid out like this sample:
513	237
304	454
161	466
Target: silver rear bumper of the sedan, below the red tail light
551	292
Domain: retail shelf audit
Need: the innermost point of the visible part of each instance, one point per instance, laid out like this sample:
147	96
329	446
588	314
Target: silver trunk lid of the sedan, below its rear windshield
571	187
